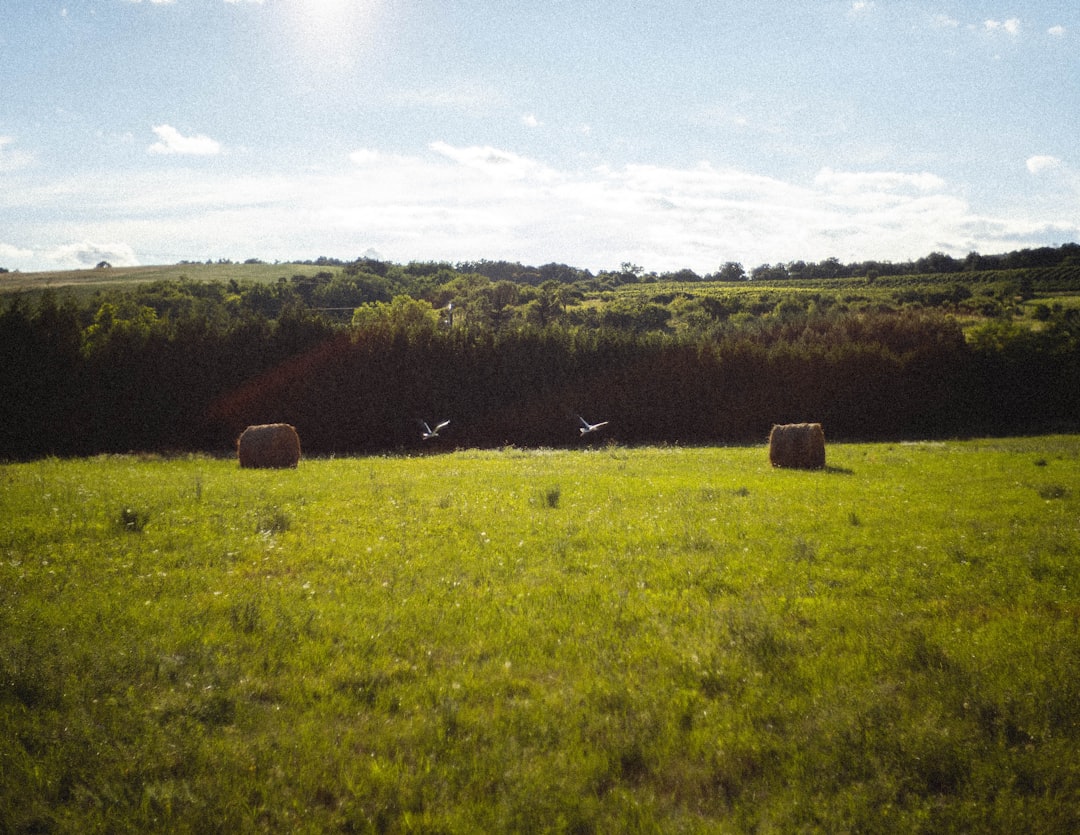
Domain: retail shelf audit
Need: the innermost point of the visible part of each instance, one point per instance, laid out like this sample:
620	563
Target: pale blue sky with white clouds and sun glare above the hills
670	134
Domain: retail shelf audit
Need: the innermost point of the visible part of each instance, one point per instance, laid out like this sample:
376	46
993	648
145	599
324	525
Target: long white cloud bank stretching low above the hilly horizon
467	203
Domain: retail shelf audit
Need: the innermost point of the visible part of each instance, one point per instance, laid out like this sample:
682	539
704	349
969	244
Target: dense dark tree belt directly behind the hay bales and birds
356	357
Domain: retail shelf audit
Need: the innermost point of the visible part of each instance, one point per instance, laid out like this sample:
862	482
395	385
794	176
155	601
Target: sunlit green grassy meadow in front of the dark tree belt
656	640
